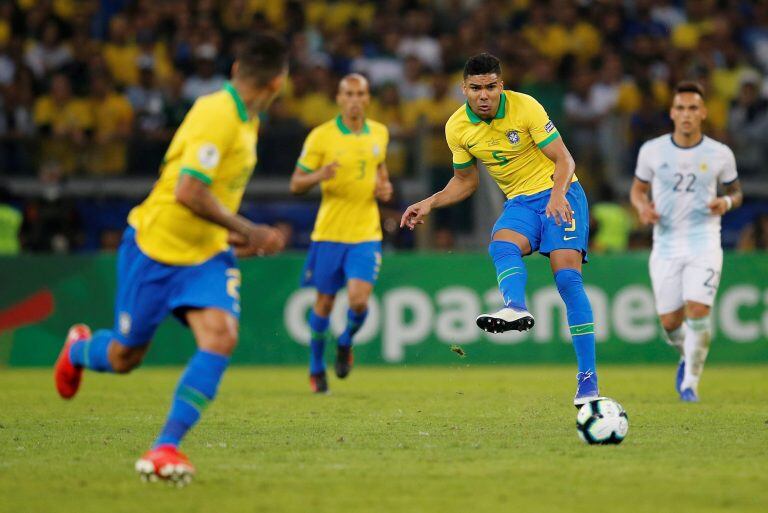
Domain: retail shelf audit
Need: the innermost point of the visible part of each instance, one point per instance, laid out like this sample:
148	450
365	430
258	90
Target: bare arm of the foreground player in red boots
247	238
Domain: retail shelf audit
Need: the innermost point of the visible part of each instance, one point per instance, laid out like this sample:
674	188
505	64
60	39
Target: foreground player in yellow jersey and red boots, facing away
177	253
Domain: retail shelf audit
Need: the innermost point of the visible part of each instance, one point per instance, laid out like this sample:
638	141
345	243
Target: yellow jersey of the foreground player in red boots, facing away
216	144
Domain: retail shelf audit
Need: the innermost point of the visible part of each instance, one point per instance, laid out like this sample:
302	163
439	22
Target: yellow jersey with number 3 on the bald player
348	210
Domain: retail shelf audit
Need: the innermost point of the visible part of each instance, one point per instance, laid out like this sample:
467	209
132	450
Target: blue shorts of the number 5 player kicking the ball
526	215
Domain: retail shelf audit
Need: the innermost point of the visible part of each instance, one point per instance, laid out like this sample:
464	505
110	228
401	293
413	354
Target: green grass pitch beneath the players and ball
390	439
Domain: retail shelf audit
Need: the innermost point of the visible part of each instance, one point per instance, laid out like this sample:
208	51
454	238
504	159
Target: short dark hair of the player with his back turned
263	56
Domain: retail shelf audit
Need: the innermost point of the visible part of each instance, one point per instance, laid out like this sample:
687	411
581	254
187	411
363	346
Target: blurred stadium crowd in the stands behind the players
96	88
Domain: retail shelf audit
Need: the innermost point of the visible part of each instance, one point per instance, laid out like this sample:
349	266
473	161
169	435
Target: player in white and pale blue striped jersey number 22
681	172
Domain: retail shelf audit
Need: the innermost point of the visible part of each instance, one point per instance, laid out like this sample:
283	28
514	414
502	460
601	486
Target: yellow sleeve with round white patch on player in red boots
208	137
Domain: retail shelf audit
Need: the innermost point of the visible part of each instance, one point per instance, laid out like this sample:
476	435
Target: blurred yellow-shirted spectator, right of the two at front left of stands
113	117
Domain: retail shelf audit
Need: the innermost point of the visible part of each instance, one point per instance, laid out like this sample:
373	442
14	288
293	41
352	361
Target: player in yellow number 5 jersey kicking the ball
546	209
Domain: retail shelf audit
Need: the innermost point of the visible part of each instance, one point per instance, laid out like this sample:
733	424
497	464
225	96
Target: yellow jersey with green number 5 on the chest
509	144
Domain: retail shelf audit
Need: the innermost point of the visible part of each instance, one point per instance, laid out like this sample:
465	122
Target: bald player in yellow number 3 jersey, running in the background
346	157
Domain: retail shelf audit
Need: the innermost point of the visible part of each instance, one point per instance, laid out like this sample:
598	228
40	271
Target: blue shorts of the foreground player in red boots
147	290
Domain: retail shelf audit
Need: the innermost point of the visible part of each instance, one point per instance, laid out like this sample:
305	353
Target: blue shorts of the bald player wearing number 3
330	264
